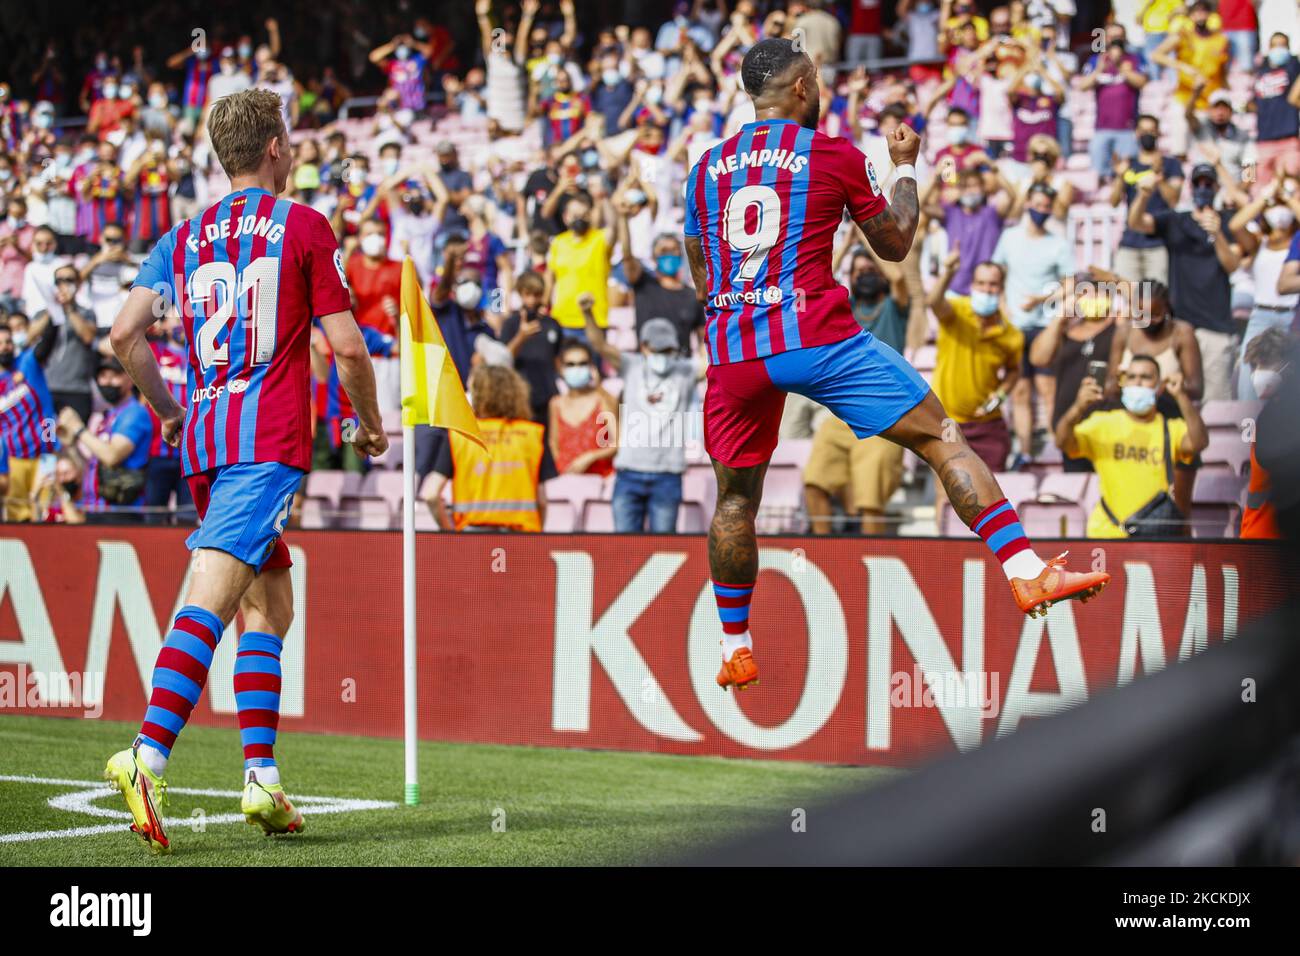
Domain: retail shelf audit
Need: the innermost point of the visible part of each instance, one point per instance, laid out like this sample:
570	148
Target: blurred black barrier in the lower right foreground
1115	781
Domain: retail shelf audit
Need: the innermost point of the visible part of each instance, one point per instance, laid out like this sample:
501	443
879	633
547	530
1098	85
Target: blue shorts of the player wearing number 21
244	509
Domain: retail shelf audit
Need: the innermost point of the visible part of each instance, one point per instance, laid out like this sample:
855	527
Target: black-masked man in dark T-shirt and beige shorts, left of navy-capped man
1141	256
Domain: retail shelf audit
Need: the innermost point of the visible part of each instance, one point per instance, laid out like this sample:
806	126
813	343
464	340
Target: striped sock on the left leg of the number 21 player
179	678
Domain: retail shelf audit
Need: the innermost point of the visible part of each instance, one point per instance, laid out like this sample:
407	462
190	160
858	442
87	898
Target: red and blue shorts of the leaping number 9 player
864	383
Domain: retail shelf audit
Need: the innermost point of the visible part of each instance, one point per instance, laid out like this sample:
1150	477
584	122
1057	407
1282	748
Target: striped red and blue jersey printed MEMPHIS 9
766	205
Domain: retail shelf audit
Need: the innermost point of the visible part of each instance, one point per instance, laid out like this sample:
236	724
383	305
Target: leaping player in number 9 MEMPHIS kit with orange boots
762	209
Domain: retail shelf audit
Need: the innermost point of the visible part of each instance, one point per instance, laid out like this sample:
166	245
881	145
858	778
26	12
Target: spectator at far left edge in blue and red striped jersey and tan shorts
27	417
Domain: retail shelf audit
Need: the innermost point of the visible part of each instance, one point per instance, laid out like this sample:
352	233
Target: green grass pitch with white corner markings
480	804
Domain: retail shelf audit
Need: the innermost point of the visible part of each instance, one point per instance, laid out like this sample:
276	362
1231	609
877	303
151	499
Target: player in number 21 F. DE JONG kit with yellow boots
246	276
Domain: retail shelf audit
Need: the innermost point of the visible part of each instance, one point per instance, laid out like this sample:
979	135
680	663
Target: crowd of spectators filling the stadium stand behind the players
1102	292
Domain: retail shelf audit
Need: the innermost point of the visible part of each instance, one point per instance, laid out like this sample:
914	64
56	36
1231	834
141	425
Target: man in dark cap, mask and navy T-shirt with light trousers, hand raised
1202	259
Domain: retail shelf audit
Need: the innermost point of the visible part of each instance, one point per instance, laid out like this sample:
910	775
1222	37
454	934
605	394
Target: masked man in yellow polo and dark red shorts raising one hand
980	358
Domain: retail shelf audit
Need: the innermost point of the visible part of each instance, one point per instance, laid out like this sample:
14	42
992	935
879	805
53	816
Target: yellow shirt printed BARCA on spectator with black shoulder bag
1129	456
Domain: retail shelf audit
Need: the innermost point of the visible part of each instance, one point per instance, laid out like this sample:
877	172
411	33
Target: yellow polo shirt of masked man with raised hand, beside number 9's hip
970	358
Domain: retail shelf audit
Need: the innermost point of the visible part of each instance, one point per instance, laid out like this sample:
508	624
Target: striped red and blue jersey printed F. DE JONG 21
246	278
